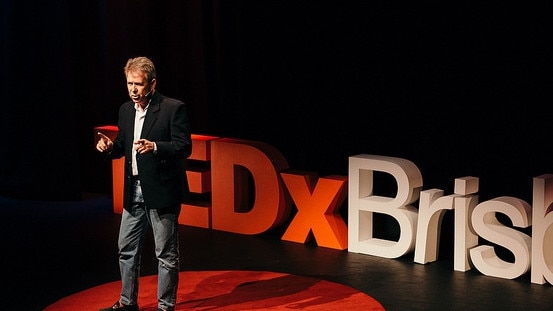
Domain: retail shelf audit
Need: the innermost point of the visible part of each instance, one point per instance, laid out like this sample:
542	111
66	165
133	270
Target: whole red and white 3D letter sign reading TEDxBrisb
248	188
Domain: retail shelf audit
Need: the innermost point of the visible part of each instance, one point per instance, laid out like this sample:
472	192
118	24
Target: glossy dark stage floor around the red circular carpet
53	249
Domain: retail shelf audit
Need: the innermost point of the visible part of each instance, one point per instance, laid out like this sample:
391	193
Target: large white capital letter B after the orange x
362	203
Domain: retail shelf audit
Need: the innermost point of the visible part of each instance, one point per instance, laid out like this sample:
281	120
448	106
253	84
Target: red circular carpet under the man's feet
232	290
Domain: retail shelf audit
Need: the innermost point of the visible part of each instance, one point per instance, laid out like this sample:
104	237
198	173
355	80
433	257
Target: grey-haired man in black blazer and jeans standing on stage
154	137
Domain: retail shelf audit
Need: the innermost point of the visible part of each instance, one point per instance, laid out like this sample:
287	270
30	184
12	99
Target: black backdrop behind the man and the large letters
459	89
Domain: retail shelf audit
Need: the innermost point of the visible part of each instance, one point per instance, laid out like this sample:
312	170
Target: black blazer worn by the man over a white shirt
162	175
